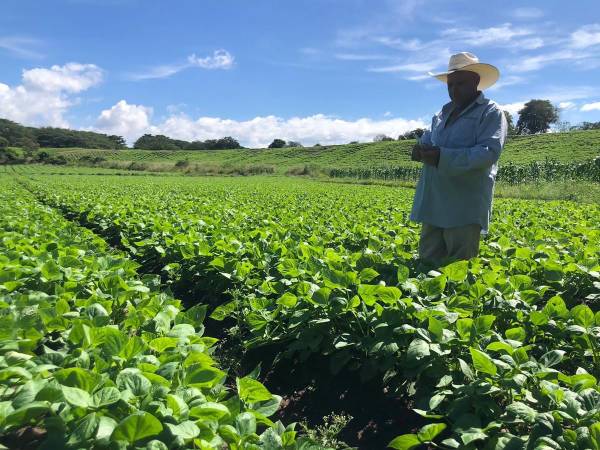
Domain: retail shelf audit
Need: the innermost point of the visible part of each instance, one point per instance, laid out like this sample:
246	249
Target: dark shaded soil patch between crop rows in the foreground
310	392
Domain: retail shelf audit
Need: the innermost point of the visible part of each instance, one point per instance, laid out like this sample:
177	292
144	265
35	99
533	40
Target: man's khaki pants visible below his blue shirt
442	245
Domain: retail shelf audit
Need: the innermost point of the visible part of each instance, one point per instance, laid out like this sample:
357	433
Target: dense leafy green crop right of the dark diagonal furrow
499	352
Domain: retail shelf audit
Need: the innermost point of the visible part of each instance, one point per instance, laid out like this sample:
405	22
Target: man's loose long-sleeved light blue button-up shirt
459	190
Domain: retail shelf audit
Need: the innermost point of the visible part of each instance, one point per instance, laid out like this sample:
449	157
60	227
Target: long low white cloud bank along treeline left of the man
132	121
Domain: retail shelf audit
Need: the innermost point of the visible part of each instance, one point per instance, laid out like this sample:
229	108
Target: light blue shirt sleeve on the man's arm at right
490	141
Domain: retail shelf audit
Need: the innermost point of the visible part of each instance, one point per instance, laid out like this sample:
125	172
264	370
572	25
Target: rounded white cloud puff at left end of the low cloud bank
124	119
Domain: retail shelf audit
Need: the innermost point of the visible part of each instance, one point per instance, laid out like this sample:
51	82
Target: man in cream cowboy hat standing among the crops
453	199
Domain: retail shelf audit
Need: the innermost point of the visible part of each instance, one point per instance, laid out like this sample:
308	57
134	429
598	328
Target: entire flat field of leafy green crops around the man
315	294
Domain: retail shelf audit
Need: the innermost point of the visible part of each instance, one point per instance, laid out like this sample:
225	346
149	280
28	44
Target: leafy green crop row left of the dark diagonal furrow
94	356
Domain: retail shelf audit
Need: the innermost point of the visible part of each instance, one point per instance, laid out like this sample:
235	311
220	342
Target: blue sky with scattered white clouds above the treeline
326	71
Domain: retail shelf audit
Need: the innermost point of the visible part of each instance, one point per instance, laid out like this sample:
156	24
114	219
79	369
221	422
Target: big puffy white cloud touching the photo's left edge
46	94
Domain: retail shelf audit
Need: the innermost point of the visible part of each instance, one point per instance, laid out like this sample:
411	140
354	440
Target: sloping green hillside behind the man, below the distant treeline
577	145
